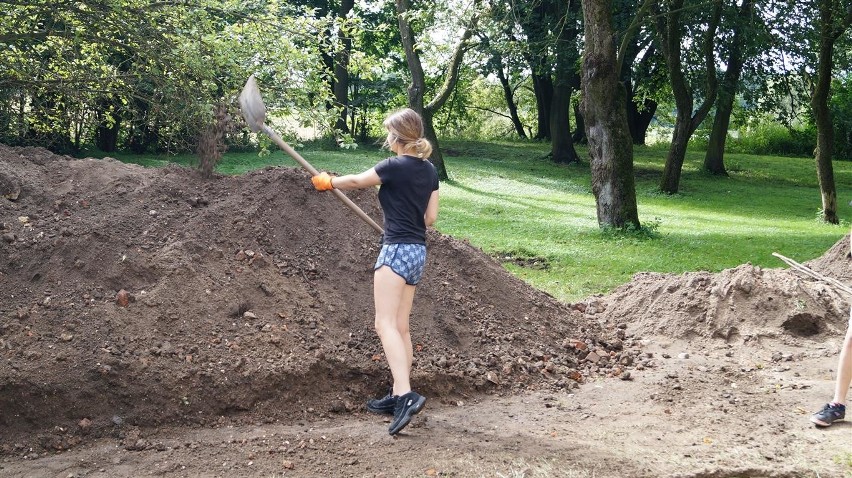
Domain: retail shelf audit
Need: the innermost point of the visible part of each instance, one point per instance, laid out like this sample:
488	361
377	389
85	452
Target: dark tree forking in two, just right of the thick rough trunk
670	28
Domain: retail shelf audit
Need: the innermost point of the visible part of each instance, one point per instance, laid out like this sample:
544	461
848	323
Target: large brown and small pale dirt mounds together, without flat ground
134	298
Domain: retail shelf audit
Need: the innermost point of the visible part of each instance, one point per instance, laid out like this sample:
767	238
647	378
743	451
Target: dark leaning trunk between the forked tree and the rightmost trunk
714	160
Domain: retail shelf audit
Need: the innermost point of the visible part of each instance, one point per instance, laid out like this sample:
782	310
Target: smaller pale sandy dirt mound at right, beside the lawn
735	305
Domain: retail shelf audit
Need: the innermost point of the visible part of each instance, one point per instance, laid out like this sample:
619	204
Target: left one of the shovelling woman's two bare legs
388	293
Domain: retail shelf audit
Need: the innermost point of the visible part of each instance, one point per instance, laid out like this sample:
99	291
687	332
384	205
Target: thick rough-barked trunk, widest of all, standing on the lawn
610	145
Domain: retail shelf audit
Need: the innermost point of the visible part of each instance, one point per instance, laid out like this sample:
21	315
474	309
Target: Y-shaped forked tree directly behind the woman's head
417	88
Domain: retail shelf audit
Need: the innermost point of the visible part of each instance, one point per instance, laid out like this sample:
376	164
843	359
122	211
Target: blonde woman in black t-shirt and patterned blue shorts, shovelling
408	194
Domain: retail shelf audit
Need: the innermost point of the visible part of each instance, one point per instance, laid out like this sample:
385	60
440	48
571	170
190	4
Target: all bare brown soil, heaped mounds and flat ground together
157	323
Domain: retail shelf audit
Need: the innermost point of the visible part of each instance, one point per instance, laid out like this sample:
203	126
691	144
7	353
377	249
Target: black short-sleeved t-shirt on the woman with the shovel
407	185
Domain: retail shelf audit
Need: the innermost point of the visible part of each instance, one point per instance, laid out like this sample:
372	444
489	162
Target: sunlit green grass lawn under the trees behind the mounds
539	217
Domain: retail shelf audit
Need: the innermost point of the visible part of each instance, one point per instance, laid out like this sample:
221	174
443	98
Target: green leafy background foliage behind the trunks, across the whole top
144	76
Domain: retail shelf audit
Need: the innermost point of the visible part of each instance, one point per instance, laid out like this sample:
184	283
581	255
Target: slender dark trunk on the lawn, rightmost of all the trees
828	34
